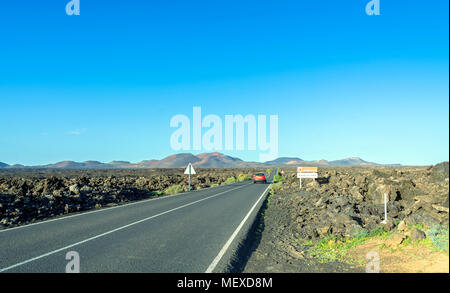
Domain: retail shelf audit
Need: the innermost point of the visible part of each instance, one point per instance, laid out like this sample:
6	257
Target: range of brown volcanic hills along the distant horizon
204	160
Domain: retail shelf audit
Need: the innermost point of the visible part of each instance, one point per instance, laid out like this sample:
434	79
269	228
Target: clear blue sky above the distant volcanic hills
104	85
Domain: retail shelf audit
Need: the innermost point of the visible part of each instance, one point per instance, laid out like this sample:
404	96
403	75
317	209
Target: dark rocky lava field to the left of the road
31	195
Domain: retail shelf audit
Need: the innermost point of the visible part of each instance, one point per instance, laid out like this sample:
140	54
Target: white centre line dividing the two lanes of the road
114	230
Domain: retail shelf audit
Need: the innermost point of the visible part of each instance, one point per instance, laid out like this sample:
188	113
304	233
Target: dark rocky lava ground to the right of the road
342	201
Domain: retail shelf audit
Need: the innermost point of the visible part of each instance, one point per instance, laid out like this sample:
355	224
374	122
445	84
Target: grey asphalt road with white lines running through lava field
193	232
